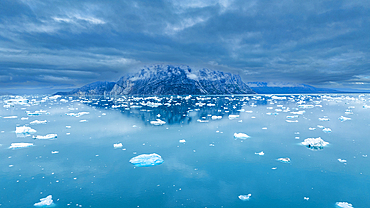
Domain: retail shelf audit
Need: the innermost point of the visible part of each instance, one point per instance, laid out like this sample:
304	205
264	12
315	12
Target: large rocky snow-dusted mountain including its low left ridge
168	80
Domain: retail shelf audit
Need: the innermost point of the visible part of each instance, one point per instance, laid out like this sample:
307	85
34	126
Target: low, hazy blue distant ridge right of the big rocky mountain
286	88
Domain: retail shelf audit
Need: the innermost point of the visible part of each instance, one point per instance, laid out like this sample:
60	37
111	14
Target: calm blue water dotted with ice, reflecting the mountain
211	169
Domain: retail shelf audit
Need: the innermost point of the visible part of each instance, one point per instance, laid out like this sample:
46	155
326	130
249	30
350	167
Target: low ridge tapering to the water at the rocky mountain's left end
95	88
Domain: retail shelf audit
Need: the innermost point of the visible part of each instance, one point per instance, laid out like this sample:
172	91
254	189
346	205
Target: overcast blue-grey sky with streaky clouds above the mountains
50	45
